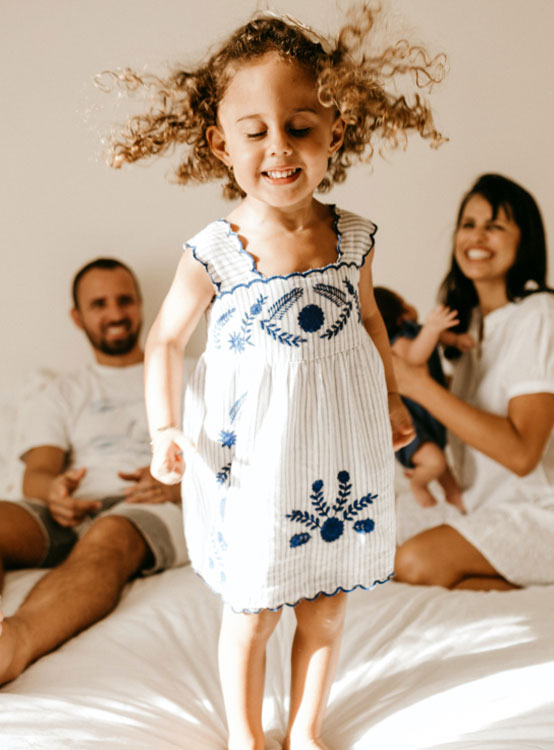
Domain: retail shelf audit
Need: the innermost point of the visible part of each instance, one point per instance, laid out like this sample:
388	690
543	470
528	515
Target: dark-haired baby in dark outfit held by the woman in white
424	457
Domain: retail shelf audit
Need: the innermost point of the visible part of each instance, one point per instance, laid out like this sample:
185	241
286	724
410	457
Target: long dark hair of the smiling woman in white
528	273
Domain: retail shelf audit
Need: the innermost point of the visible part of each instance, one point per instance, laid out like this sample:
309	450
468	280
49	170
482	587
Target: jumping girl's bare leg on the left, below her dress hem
242	645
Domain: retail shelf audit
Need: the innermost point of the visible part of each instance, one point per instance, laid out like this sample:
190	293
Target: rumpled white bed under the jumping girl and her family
421	668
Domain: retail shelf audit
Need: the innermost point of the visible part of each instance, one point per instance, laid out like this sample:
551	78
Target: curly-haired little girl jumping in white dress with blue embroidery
292	412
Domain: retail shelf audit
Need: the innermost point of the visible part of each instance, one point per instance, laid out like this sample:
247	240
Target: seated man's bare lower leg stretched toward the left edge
89	583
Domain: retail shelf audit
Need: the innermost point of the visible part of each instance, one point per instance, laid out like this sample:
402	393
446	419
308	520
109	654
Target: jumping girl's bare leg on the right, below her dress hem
315	653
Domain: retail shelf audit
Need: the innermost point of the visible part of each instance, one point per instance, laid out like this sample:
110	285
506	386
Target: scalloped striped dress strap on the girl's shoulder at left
220	251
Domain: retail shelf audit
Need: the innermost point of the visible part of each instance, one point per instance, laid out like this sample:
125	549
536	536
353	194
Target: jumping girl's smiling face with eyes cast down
274	132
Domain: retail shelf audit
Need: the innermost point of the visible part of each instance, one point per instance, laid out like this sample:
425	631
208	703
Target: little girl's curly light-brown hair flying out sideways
346	76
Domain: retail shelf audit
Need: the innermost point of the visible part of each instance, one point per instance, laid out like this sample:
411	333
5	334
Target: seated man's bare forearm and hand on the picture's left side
44	479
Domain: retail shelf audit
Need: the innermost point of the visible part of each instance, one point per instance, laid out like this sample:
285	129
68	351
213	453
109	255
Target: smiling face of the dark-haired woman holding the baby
485	248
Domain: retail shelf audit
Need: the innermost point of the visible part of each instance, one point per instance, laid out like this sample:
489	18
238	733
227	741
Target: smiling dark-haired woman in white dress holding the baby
500	412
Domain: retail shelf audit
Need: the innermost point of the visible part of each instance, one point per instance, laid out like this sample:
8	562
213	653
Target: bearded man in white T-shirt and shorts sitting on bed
95	516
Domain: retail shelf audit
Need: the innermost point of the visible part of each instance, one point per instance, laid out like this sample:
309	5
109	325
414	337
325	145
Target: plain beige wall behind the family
62	206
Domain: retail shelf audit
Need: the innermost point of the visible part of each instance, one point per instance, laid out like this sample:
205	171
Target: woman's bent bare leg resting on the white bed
442	557
